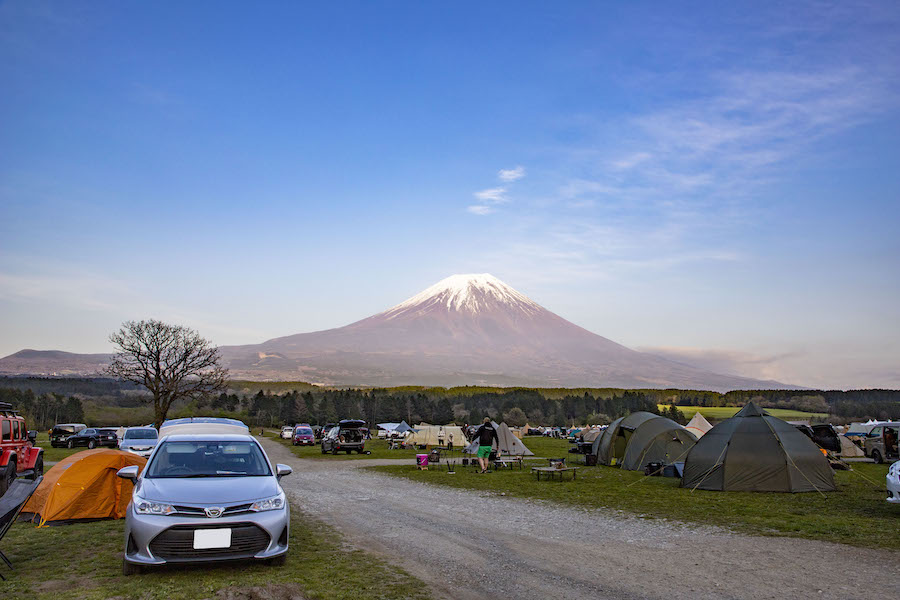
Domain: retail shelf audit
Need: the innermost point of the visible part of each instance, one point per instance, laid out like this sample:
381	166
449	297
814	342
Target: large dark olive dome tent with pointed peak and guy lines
756	452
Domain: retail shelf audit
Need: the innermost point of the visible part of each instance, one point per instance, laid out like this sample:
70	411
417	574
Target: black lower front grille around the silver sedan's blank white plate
177	543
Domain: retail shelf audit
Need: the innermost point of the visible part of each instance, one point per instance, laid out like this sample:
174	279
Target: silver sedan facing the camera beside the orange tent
206	498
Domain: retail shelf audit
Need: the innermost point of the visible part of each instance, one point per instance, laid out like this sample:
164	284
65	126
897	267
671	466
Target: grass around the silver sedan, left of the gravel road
84	561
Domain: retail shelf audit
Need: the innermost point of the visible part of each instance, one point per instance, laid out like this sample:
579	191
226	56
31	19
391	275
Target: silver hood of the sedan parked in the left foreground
208	490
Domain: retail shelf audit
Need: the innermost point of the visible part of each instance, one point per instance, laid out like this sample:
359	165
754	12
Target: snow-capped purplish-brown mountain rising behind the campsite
468	330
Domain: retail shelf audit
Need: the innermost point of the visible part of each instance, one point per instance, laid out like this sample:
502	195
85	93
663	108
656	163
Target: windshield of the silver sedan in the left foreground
208	459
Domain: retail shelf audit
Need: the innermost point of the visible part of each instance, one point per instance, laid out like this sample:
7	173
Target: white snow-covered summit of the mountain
473	293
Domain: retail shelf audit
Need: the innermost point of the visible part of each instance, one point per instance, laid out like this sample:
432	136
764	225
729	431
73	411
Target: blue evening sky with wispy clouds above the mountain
715	183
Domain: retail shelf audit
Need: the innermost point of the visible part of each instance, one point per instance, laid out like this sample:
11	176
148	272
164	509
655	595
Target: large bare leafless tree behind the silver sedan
171	361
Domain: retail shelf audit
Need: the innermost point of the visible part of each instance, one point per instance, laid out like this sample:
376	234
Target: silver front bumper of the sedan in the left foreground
142	530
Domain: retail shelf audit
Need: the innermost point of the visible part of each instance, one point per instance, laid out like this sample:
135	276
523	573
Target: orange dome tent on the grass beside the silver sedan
84	486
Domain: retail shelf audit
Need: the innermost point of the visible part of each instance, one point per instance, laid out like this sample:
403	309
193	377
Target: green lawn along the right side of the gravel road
856	514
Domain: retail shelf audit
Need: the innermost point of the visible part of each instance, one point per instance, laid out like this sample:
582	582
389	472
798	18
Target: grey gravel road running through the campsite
476	545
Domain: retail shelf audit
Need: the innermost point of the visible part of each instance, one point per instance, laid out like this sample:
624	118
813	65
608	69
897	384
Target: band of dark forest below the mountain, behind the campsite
46	401
